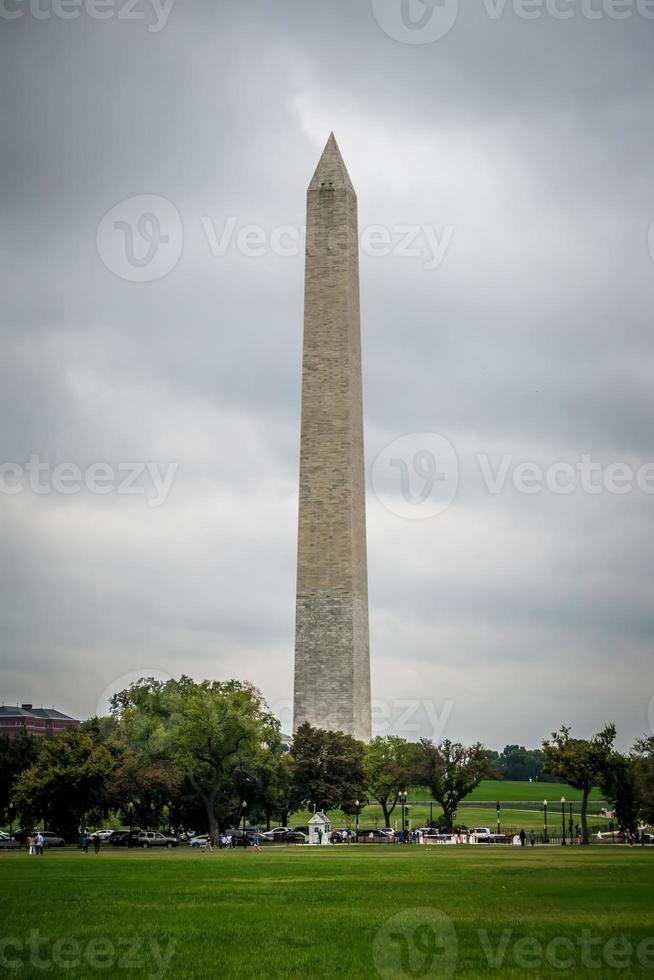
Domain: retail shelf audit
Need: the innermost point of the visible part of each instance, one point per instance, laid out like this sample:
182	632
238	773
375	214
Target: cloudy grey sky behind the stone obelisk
508	149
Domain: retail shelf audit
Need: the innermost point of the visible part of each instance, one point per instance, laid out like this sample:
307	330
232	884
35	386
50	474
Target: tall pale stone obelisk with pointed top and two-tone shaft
332	655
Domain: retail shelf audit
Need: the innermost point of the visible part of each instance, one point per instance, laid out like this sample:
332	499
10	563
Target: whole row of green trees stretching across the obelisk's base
210	754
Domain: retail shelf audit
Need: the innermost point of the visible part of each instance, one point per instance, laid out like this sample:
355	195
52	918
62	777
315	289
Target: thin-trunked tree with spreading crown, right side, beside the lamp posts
580	762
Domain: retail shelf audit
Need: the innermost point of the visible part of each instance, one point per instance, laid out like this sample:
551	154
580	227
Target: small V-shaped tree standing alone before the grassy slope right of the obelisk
451	771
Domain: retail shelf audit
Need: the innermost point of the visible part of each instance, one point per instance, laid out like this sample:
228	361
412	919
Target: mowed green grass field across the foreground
353	911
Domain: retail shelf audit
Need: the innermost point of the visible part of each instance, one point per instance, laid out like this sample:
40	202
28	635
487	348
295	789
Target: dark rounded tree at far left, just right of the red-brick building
67	786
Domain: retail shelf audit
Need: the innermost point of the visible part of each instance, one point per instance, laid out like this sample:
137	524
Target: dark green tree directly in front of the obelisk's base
327	769
